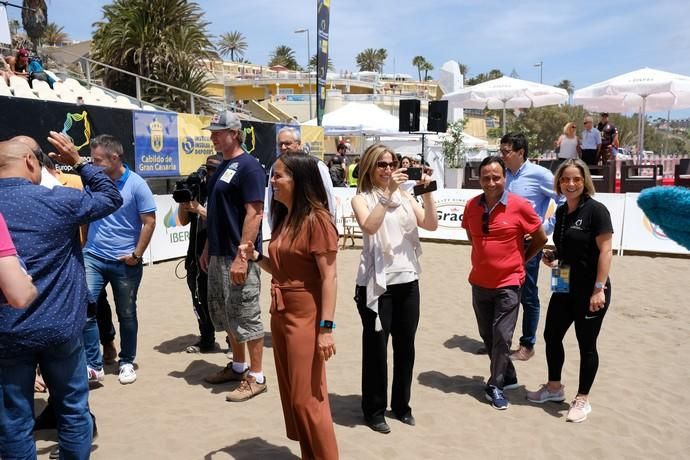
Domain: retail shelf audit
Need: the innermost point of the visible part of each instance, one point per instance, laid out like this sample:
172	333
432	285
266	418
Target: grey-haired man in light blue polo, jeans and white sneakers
114	248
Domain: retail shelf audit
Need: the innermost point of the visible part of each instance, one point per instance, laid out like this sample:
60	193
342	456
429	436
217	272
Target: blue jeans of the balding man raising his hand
64	371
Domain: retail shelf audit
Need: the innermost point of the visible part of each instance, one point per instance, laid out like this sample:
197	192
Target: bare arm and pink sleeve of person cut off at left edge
16	288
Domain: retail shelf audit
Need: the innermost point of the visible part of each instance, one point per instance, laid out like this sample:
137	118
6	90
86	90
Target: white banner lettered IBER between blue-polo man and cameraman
170	239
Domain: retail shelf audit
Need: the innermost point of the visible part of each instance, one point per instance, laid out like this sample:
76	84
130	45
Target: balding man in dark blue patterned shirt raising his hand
44	225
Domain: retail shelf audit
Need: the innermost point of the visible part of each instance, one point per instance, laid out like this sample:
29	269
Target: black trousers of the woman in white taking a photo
399	315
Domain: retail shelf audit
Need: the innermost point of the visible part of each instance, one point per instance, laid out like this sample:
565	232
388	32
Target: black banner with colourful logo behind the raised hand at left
36	118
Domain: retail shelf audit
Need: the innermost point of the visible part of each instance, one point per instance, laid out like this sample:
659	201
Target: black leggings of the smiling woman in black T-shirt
564	310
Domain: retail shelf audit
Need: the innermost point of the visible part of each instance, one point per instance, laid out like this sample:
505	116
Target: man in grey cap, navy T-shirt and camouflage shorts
235	209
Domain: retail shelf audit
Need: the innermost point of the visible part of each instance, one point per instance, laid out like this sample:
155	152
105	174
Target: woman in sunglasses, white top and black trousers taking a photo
387	292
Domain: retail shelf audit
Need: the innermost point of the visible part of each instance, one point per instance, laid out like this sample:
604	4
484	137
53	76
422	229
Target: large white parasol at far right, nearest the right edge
641	91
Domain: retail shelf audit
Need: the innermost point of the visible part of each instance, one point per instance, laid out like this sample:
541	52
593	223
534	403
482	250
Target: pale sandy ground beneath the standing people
641	408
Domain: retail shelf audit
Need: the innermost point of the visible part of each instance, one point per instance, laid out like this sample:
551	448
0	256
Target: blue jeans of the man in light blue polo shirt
124	280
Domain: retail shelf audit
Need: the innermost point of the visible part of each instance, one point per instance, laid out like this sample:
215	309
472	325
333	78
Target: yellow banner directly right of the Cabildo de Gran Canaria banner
194	143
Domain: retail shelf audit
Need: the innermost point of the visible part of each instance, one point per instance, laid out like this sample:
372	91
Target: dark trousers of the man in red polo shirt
497	311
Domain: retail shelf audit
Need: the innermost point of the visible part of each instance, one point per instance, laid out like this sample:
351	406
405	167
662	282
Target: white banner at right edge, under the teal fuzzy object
641	234
